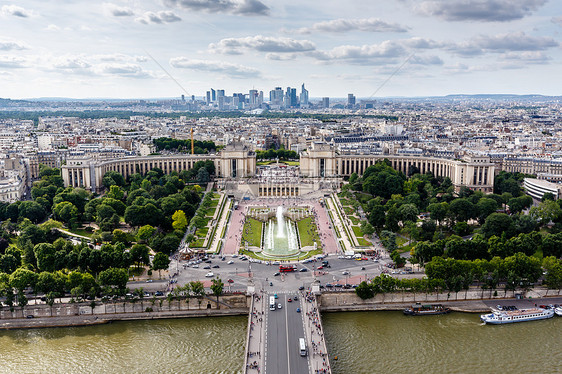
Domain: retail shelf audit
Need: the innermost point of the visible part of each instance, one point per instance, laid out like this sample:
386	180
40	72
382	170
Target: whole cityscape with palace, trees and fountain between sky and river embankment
102	200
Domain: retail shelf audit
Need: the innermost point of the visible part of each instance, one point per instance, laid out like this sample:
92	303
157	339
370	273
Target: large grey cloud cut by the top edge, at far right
479	10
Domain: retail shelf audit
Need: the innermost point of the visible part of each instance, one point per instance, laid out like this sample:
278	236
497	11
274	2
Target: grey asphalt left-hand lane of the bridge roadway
276	359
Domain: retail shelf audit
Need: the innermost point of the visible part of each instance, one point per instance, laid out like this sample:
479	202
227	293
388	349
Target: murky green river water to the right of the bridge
389	342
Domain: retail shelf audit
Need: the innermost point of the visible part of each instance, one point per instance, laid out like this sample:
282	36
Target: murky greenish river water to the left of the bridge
190	345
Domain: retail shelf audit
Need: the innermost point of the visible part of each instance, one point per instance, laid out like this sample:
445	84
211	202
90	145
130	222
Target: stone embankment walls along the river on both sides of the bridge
82	314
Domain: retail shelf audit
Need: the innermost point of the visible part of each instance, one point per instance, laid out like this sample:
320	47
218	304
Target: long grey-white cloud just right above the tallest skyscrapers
365	54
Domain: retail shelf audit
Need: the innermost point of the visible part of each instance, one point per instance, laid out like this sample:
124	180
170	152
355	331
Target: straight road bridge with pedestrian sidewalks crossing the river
272	345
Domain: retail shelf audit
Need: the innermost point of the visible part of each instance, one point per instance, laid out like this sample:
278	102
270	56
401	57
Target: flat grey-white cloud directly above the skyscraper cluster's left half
261	44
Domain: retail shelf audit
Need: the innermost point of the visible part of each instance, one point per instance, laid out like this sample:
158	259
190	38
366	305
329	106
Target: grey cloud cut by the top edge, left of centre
241	7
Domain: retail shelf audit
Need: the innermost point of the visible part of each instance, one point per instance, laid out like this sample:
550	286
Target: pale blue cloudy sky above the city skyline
371	48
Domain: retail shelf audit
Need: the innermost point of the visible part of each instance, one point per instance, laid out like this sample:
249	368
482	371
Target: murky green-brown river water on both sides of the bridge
365	343
